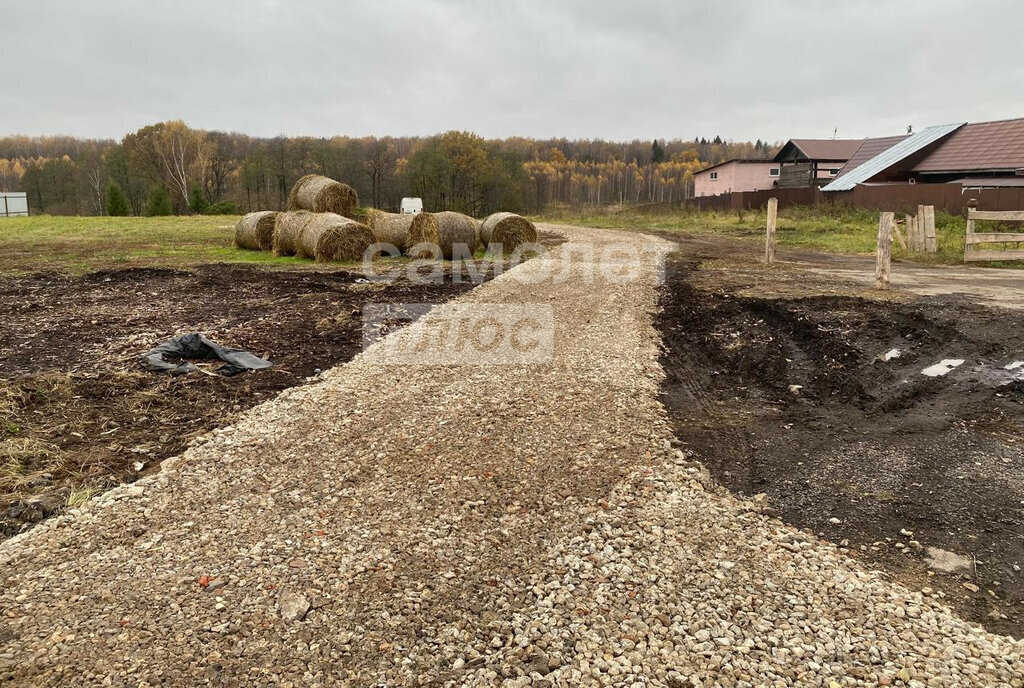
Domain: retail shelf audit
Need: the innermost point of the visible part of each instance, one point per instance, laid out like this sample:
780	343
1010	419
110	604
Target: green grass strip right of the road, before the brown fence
832	230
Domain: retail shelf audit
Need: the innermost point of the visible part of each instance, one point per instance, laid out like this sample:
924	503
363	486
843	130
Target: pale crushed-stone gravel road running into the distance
526	525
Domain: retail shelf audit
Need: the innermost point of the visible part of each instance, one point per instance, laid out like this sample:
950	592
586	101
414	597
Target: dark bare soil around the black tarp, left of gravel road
79	415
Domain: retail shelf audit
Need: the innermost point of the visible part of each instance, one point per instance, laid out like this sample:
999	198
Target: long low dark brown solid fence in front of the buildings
900	198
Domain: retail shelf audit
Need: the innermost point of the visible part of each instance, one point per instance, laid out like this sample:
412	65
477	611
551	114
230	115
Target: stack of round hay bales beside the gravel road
325	223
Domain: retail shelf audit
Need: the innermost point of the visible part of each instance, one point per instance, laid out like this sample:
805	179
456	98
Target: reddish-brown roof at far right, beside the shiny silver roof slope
982	147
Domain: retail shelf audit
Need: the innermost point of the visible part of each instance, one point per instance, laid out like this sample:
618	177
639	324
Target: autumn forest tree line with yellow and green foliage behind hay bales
169	168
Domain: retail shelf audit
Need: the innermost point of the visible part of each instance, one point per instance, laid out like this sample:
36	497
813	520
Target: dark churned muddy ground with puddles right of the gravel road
776	384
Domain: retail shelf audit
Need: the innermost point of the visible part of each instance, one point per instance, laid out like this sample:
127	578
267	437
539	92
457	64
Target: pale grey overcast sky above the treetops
580	69
